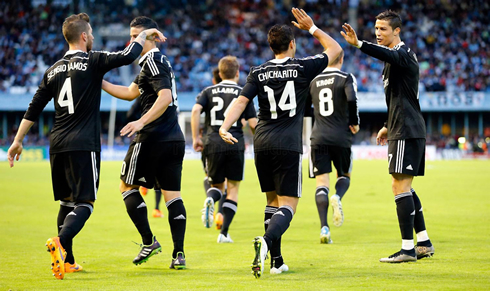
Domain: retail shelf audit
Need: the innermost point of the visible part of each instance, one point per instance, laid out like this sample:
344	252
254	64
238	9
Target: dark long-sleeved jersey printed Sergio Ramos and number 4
75	83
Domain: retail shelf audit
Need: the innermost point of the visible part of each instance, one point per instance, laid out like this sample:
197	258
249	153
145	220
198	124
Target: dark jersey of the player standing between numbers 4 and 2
157	74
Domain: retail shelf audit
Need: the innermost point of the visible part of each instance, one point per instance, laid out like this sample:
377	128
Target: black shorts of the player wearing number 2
229	164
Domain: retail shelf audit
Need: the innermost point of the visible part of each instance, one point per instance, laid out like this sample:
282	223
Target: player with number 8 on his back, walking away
334	97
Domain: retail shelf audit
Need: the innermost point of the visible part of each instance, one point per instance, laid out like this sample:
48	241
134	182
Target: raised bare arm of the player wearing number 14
304	22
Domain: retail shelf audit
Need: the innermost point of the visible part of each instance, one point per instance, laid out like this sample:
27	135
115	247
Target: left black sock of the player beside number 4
138	212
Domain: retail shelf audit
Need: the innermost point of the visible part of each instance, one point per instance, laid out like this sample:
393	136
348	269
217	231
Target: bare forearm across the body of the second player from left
161	104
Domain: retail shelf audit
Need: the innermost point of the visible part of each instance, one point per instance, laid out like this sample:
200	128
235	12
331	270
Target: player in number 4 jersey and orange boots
75	84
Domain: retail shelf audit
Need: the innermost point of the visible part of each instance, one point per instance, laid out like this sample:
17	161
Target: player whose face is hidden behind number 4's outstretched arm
155	156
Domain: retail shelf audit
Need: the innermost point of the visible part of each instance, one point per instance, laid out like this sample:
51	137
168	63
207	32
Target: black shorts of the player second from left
154	165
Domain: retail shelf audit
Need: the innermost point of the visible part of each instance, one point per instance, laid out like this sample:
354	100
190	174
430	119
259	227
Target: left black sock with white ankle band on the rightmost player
405	210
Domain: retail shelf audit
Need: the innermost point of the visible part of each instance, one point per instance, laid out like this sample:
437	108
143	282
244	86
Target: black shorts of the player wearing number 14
279	171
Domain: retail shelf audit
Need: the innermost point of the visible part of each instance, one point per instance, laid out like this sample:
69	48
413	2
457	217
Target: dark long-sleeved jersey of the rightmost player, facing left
401	85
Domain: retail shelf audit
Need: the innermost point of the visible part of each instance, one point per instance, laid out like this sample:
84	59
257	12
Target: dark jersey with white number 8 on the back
331	92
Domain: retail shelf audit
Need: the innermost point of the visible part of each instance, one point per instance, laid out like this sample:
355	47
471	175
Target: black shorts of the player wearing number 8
321	159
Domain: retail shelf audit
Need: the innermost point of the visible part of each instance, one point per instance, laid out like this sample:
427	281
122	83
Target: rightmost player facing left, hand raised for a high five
404	130
